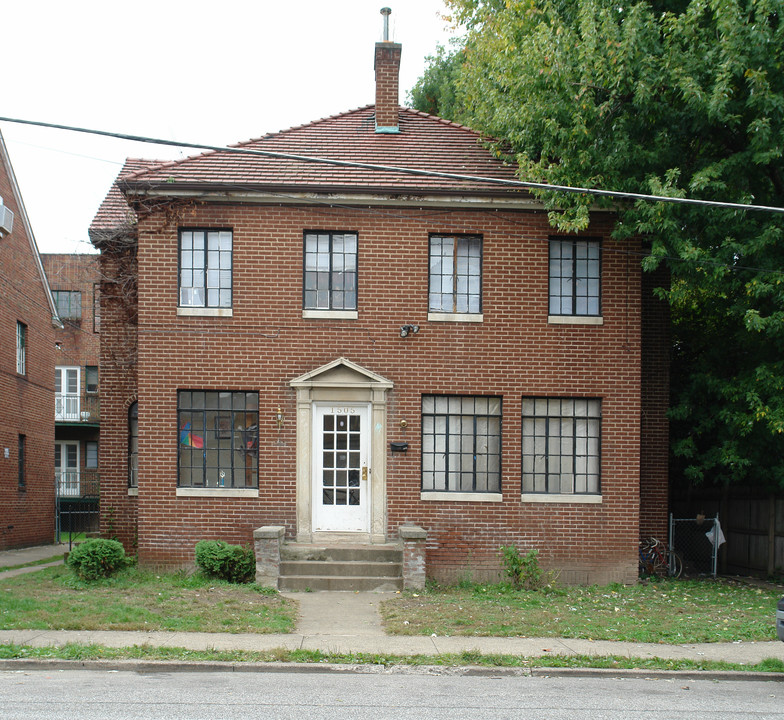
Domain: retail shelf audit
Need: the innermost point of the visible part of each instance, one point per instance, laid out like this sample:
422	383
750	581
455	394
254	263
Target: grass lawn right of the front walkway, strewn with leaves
667	611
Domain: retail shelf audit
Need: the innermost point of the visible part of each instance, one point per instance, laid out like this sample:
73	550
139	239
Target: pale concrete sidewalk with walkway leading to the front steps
345	622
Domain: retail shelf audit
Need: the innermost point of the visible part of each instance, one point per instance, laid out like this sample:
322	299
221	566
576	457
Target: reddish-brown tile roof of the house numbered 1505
424	142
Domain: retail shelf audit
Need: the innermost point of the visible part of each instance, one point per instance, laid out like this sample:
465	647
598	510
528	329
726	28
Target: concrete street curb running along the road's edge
164	666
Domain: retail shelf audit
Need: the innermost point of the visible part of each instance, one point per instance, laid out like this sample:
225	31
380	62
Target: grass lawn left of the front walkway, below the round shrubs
136	599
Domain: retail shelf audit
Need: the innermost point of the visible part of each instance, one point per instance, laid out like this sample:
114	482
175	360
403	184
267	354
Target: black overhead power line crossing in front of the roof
524	184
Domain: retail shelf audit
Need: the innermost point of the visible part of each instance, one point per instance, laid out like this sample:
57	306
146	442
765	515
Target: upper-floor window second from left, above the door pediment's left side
330	281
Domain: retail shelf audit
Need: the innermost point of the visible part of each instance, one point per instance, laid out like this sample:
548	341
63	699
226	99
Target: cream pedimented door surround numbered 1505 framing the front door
341	381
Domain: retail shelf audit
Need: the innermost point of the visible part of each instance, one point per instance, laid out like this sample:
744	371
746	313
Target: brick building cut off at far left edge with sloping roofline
27	337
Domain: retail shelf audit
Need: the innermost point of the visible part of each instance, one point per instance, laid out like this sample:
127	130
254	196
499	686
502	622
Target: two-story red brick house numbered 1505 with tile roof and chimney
342	350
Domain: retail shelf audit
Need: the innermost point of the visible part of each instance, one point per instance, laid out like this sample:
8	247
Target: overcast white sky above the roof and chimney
215	73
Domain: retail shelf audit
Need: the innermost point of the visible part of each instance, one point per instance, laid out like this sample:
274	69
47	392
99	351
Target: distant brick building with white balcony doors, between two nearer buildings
74	280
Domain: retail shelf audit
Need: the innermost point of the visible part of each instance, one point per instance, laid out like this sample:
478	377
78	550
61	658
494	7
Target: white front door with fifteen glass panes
341	467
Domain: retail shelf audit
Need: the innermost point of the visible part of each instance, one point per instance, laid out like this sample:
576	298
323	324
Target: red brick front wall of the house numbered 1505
513	353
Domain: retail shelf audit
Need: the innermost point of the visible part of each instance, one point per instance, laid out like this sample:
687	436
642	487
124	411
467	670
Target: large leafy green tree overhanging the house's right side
674	98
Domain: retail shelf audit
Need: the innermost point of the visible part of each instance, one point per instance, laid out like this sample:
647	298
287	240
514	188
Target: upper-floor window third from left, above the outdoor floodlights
455	274
